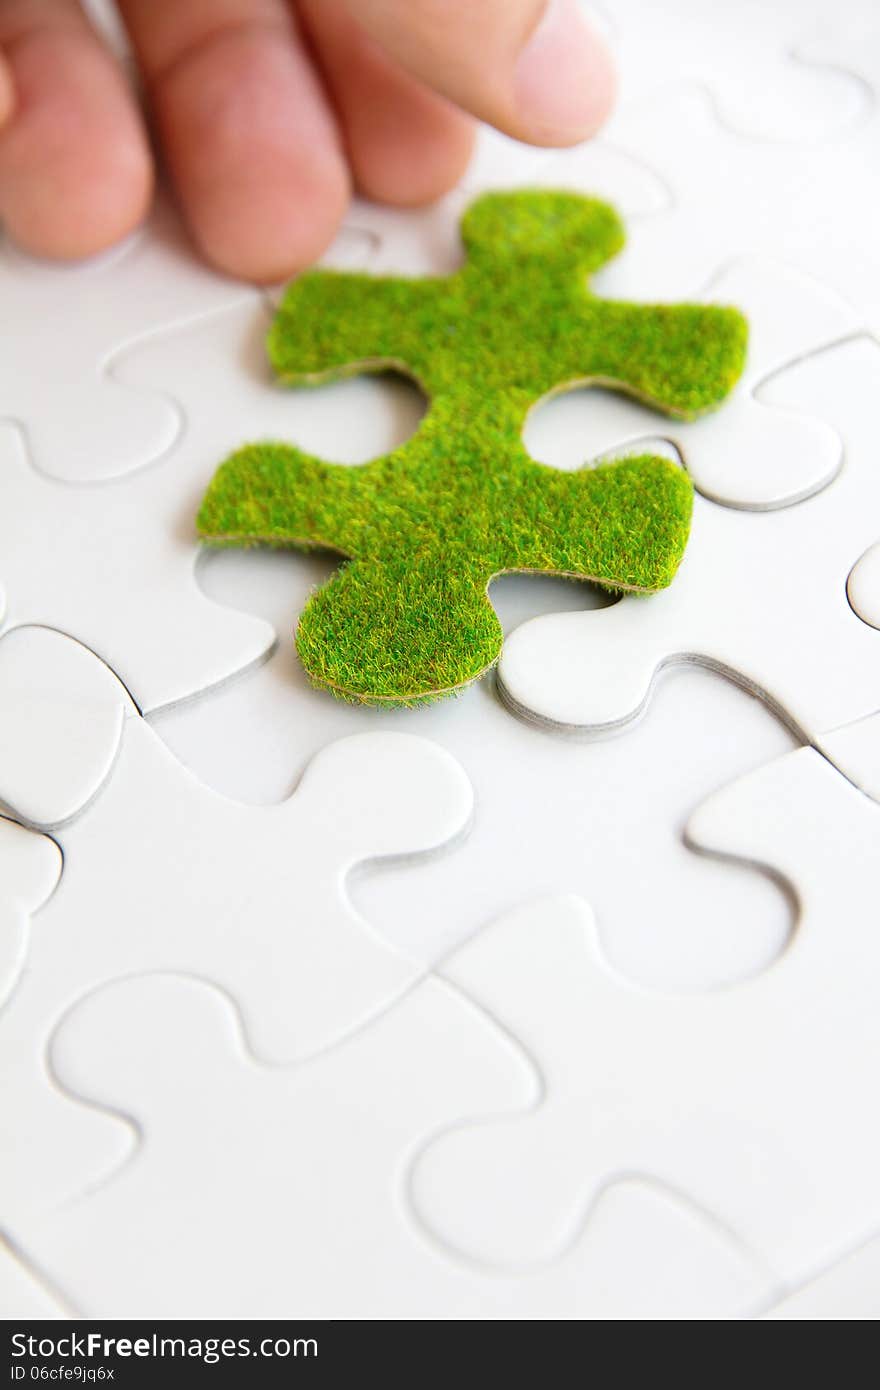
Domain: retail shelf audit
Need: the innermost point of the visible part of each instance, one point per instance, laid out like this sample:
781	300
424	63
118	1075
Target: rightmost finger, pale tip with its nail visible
535	69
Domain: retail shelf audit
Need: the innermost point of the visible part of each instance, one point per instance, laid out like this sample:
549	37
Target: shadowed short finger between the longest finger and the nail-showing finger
407	145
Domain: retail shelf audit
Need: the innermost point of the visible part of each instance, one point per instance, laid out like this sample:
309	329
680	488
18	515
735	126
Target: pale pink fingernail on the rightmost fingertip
565	79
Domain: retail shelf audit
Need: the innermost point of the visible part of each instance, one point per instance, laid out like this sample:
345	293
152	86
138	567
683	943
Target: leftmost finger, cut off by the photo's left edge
76	170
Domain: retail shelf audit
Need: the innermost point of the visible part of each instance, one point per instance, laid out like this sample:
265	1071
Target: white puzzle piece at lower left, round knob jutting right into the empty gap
163	875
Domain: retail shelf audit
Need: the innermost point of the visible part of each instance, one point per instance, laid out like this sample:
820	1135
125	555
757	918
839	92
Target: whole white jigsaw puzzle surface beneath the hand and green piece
553	1001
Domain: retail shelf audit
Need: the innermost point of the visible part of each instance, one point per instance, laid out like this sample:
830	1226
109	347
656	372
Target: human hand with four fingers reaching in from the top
268	112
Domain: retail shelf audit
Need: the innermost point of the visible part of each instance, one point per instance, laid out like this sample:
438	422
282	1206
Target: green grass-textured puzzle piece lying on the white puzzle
426	528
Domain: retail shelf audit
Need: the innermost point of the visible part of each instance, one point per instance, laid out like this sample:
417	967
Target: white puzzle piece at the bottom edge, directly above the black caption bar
276	1193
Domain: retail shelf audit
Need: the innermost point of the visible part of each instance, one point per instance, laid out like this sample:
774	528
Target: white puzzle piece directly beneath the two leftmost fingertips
63	327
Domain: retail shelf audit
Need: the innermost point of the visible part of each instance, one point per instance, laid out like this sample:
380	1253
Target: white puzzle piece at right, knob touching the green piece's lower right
760	597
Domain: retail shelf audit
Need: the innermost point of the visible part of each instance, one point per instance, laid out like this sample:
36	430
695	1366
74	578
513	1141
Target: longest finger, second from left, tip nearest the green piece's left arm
247	131
